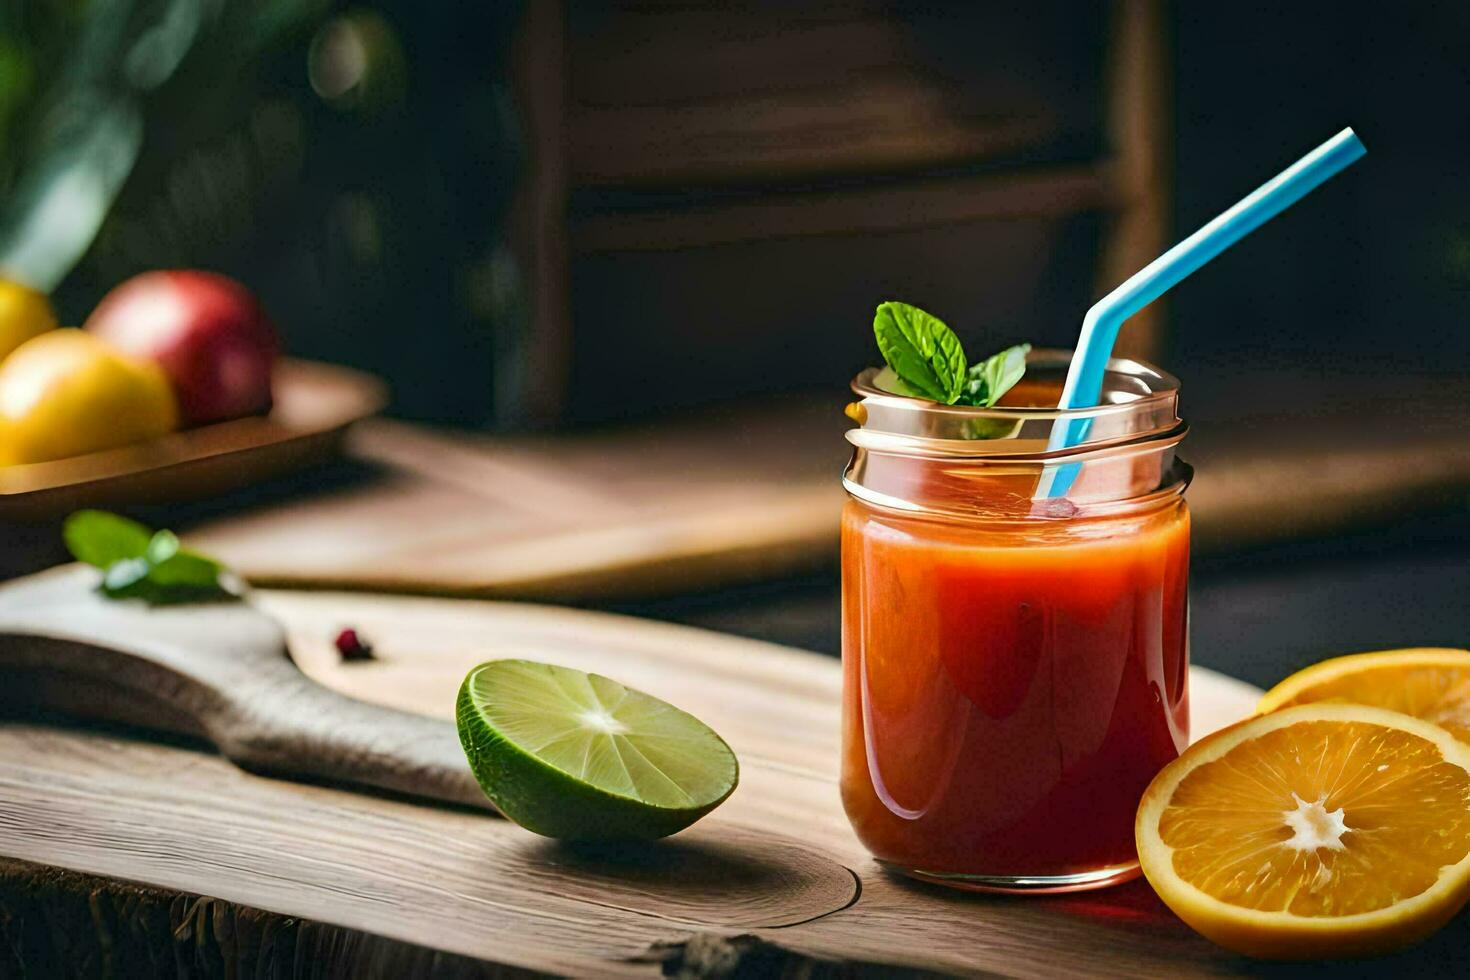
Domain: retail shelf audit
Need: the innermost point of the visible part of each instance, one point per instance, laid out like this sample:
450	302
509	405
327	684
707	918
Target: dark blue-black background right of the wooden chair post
1371	277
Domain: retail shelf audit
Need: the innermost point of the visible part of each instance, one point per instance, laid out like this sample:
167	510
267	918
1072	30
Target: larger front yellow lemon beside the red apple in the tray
65	393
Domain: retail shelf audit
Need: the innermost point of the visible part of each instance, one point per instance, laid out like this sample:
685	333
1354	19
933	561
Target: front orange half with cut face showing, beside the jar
1319	831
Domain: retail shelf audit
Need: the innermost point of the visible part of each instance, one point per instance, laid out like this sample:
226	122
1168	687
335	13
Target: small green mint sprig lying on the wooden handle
140	563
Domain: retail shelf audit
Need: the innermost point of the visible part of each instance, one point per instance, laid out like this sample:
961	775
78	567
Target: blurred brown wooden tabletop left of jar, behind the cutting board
653	509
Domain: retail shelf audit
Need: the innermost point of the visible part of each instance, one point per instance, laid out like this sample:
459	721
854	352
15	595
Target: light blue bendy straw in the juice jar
1102	324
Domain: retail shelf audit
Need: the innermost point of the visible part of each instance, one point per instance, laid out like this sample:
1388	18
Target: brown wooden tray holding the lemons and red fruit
314	406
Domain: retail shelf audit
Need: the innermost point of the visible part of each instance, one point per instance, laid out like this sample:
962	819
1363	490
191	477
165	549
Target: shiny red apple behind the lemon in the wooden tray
208	334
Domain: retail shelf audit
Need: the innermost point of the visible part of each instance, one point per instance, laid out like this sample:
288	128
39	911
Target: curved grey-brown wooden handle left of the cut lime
220	672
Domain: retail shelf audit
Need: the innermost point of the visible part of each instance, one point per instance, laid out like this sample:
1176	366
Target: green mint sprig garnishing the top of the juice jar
928	359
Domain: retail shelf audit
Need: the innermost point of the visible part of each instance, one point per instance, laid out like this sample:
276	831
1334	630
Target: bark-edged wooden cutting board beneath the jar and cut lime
165	850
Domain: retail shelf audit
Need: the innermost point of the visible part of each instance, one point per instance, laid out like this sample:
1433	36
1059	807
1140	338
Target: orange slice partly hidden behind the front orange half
1428	684
